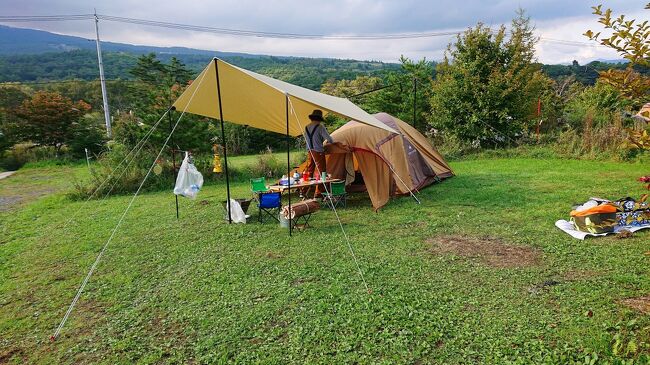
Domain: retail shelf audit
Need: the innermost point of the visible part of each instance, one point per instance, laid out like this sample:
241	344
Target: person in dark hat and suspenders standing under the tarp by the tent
315	136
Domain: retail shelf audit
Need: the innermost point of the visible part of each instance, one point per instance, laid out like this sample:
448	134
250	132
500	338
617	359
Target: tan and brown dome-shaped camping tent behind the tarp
382	163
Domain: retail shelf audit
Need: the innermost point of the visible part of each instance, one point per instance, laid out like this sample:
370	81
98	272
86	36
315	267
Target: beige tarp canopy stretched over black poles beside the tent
260	101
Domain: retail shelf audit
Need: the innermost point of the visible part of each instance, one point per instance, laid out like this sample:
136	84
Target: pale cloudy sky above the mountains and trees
563	20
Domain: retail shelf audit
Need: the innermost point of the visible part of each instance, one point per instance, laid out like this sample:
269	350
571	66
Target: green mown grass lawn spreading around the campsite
475	274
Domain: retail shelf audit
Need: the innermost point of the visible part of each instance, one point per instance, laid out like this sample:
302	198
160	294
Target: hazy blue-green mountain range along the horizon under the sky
28	55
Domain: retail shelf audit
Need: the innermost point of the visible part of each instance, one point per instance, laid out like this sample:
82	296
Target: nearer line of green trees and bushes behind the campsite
489	91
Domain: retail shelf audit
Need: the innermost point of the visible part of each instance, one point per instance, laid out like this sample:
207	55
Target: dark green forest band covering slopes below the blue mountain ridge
307	72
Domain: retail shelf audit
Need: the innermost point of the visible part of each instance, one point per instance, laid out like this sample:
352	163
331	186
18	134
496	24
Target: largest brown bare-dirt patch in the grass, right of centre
490	251
